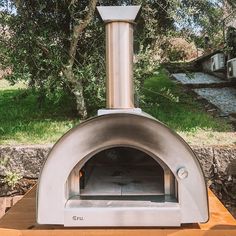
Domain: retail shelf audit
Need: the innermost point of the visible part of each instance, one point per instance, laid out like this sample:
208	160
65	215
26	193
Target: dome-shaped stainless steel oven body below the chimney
60	199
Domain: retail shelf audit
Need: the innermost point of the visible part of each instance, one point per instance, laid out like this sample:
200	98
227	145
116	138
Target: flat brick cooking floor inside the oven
124	181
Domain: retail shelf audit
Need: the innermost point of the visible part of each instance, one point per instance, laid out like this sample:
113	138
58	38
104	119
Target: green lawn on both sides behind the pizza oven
22	121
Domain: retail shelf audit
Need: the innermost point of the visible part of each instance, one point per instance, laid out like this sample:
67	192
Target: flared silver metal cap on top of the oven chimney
118	13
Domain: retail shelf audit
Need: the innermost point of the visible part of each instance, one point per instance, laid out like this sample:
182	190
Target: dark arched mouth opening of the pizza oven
122	174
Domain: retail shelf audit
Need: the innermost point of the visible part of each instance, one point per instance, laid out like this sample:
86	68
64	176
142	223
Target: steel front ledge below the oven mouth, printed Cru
101	213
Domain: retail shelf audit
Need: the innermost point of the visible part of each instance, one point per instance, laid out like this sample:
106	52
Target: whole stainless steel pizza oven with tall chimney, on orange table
122	167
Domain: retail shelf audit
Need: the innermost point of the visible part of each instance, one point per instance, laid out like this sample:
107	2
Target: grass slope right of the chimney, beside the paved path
187	116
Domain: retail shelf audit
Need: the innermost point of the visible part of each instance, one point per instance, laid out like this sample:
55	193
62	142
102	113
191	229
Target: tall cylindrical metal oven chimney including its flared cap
119	22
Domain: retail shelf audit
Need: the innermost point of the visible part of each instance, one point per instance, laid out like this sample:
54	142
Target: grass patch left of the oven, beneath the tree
22	121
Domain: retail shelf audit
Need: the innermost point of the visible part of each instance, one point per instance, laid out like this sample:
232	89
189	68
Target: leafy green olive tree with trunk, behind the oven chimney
58	46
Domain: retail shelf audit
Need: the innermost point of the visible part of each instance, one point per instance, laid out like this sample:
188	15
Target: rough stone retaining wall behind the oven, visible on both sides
218	164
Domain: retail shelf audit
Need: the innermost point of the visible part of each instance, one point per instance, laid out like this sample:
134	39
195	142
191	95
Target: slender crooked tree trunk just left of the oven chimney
76	85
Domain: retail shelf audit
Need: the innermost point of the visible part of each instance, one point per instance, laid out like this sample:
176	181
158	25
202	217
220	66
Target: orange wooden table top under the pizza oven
20	221
